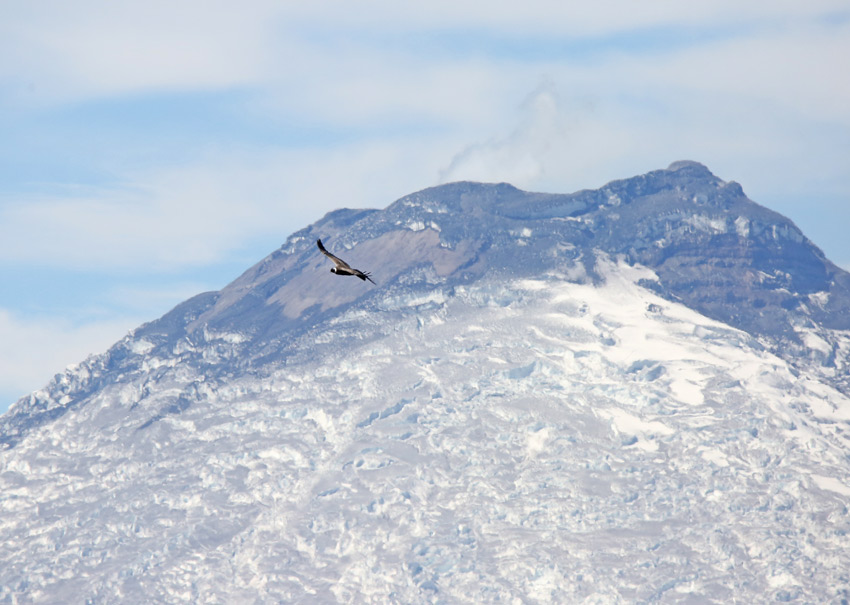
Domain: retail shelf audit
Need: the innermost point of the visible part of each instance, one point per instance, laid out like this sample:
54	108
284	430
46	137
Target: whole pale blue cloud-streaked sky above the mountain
151	151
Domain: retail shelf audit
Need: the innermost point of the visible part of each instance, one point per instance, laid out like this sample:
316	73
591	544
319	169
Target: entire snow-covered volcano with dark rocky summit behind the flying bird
633	394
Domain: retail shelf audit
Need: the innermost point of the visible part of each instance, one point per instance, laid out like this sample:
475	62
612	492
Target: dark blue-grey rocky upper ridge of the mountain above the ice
711	247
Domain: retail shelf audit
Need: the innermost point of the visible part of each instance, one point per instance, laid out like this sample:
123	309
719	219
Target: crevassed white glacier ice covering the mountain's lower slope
520	441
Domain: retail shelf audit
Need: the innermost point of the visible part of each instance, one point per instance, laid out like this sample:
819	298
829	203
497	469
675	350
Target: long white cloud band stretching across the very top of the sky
87	50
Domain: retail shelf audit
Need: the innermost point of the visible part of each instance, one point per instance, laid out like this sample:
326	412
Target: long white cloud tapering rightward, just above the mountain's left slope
195	215
